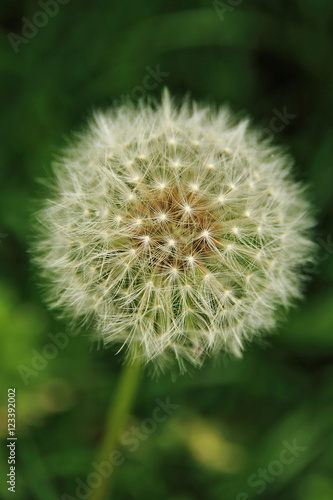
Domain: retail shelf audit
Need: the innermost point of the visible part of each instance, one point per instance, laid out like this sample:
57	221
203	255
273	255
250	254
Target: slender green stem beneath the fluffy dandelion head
116	421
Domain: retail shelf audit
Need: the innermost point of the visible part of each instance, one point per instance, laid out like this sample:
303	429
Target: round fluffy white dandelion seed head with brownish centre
163	228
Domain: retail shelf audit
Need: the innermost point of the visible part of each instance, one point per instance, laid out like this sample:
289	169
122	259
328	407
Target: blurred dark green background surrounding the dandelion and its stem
271	59
